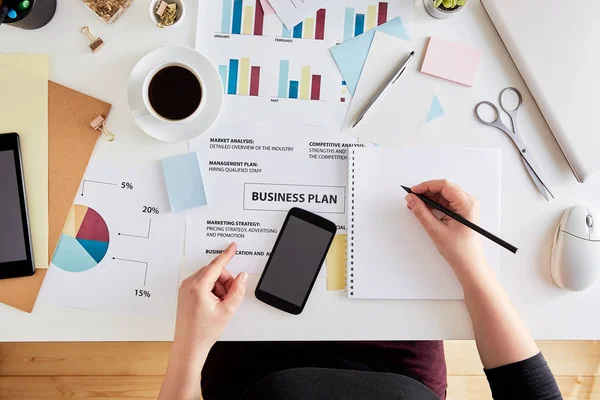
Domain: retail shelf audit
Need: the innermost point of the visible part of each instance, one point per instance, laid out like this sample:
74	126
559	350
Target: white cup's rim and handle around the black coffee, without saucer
149	110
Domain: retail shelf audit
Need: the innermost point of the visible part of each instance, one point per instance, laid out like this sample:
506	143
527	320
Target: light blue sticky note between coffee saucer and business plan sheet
183	179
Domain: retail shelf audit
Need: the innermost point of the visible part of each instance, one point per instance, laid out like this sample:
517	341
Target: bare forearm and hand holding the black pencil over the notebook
502	337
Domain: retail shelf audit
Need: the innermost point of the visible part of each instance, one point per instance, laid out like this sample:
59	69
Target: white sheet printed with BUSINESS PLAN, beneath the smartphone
254	174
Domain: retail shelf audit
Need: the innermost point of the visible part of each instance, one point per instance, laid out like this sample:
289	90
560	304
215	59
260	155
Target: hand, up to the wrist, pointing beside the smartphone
207	301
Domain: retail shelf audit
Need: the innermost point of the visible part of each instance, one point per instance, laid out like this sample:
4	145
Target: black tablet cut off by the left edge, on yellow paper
16	255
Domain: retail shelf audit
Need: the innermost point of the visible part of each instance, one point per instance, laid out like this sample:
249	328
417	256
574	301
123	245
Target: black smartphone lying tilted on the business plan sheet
295	261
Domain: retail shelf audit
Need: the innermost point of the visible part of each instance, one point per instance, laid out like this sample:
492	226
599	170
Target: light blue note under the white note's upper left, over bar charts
350	56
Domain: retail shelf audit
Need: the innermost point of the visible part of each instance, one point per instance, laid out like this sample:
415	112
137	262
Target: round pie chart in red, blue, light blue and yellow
84	240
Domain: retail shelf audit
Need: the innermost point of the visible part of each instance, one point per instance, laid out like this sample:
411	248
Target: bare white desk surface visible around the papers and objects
527	220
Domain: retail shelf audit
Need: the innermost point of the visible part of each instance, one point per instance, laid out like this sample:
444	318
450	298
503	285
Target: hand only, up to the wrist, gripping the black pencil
459	245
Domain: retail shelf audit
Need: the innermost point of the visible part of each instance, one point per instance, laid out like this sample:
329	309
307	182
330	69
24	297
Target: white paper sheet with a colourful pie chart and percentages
121	247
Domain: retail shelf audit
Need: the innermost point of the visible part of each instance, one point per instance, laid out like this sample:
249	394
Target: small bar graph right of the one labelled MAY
308	87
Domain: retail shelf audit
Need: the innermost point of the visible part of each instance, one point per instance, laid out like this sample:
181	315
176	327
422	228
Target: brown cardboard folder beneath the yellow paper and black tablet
71	141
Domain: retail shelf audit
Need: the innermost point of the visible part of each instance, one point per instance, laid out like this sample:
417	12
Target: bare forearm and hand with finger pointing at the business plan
207	301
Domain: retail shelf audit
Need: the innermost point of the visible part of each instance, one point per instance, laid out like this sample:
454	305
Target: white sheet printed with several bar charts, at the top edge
275	72
